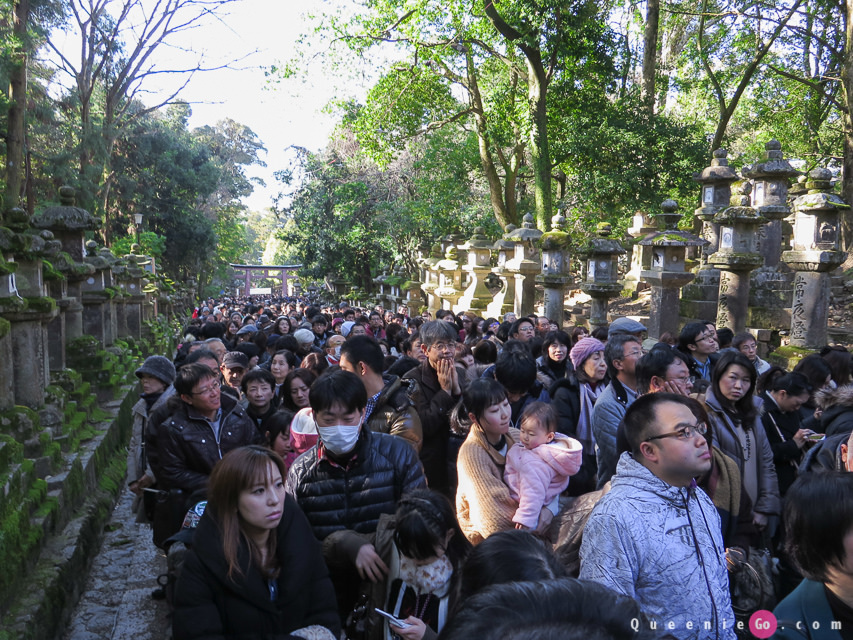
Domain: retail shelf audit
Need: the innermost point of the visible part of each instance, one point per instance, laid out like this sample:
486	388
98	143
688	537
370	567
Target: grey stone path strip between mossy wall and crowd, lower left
117	602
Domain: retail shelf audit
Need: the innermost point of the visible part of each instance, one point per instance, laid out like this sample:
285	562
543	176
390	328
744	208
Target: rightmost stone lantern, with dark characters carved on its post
816	251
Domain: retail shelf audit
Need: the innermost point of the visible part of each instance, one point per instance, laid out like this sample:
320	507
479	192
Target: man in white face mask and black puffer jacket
349	479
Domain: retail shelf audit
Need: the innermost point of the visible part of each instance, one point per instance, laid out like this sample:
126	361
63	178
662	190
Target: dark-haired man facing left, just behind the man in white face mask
389	408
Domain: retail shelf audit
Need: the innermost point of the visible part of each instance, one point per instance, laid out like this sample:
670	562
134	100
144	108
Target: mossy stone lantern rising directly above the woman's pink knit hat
601	272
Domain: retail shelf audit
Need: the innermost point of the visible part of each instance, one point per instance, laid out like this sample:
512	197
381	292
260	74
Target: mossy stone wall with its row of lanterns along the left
75	322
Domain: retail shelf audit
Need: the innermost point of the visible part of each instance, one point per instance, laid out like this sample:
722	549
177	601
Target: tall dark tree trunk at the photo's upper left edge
18	108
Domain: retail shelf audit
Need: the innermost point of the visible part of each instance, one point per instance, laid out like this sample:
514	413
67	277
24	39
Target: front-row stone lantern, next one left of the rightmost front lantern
736	257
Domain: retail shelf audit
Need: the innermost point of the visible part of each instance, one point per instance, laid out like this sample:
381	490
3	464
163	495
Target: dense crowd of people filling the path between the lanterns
329	472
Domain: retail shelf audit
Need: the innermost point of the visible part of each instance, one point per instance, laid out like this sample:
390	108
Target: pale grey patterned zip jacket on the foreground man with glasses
641	540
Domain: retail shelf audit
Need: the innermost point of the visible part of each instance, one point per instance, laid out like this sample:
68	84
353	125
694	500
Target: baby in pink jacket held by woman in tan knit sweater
538	467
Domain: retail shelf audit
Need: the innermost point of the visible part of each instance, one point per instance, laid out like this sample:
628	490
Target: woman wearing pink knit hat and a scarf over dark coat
573	399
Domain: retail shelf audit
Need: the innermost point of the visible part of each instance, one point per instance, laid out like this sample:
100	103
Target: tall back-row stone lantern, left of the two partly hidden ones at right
699	298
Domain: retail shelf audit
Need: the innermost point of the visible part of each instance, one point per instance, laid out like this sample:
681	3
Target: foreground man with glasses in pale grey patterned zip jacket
656	536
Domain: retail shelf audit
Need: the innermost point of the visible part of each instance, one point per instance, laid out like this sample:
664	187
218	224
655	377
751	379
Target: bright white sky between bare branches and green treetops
283	115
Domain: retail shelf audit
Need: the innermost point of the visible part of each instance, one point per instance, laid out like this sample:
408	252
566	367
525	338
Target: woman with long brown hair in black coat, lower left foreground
255	570
